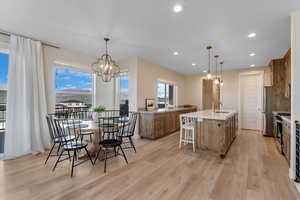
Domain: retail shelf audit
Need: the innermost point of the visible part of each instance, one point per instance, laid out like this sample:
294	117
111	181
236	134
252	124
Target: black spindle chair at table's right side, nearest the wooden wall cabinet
129	131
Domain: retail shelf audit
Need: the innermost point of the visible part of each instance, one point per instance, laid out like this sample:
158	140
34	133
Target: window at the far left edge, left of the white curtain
3	87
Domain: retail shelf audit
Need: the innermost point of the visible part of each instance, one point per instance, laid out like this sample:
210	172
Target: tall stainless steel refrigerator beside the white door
267	112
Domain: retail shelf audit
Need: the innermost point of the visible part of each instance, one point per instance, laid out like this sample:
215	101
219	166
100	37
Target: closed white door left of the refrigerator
251	101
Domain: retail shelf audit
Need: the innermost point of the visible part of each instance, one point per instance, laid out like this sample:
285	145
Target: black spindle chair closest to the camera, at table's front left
67	128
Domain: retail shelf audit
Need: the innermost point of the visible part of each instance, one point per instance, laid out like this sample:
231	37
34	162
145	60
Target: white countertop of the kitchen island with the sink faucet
210	114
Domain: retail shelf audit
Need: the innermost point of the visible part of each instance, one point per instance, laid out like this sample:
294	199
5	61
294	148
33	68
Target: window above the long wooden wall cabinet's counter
166	94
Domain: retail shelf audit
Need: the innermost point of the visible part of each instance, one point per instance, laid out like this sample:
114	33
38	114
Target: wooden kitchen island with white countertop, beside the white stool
216	130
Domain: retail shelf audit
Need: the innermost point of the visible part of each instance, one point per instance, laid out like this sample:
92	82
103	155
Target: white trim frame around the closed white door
260	74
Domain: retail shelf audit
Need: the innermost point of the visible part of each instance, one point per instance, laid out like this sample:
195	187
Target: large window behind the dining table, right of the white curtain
74	89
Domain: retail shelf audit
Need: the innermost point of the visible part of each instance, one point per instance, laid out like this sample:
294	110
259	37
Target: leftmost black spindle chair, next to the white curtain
56	138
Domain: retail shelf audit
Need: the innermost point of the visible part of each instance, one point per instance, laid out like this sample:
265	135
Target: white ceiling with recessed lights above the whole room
150	29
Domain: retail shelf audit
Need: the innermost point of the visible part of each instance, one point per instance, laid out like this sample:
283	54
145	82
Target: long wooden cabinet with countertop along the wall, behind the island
154	124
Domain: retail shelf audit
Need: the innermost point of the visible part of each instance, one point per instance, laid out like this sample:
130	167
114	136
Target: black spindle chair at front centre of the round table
112	128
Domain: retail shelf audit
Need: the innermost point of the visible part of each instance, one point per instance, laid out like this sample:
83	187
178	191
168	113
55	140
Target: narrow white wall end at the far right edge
295	85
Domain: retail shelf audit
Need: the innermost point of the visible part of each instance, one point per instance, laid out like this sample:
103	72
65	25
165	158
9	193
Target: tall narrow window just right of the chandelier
124	93
